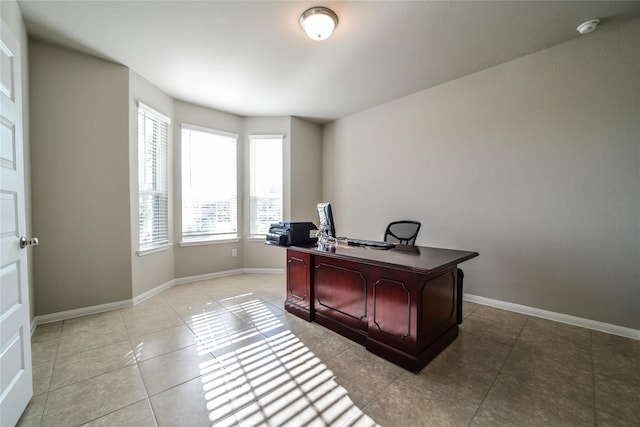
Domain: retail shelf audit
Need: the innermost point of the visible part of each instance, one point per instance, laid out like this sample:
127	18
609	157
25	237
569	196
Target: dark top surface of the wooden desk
417	258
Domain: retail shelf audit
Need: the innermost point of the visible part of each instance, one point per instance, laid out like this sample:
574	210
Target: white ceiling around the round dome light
251	58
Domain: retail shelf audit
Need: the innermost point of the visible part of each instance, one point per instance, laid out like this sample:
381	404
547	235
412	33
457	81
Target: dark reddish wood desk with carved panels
400	303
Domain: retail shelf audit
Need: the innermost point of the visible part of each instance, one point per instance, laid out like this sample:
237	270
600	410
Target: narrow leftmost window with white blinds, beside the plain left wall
153	189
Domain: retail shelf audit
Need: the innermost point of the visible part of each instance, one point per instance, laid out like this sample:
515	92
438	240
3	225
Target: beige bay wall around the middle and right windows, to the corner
302	188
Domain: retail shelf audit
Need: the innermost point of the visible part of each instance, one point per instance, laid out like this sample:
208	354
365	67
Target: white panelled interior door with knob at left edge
16	386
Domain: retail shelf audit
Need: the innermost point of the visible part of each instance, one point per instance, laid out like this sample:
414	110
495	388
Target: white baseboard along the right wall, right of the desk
556	317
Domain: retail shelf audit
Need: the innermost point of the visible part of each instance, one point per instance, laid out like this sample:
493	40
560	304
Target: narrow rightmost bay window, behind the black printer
266	182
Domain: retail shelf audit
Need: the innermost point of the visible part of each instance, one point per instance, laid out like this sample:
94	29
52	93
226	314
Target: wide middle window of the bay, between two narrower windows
209	185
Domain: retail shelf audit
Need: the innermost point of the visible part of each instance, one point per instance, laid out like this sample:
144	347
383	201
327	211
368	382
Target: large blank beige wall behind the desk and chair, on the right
534	163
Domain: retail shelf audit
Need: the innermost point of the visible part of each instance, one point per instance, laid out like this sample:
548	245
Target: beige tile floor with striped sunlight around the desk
223	352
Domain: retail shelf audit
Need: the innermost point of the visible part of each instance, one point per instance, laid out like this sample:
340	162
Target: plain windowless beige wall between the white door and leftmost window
80	180
